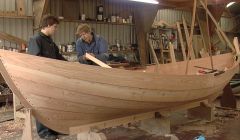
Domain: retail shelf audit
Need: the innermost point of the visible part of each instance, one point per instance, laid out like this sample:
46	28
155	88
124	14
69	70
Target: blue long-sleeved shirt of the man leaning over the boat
98	47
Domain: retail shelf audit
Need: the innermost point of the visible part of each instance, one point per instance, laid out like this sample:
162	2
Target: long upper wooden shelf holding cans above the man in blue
96	22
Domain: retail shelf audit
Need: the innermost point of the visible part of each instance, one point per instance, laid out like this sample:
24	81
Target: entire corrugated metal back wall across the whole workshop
23	28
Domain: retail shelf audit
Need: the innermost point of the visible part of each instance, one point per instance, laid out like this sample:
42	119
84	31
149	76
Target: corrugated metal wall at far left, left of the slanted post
20	27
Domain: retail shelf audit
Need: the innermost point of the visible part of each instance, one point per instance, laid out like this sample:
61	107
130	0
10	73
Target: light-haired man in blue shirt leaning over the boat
91	43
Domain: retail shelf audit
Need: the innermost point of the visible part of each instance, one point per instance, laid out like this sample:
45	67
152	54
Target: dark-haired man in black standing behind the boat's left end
43	45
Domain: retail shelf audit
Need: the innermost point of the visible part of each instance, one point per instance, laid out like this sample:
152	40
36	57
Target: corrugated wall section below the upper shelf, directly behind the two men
125	33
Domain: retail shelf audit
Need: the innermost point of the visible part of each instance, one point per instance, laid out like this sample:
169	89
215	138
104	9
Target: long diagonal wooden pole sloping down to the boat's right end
218	27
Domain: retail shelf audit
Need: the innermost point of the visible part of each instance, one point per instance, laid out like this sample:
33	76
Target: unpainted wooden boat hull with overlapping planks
64	95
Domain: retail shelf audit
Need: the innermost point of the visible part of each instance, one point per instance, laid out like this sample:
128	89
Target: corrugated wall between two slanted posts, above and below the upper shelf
111	32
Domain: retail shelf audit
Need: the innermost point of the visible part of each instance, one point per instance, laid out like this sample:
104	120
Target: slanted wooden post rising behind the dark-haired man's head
39	9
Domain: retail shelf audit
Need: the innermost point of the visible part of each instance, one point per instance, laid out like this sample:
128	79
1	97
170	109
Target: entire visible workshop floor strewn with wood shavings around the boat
224	127
